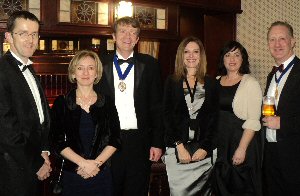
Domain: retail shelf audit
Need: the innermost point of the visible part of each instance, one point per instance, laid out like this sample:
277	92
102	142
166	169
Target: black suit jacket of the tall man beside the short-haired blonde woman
147	94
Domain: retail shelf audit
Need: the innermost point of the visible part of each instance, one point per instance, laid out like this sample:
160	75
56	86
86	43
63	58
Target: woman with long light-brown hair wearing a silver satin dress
189	111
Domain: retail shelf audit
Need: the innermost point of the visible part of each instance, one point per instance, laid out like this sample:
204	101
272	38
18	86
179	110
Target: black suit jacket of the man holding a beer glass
288	136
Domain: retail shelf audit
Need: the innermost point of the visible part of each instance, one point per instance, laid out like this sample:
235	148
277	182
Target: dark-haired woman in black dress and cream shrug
237	168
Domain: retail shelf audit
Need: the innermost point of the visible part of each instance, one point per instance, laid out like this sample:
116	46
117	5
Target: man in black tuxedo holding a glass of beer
281	165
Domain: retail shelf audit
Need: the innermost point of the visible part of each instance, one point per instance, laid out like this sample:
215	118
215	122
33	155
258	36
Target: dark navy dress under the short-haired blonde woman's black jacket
74	184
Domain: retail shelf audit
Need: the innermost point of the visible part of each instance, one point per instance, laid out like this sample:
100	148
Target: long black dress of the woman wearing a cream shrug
230	180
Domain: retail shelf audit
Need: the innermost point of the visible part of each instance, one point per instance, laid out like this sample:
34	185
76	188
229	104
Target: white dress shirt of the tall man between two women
124	101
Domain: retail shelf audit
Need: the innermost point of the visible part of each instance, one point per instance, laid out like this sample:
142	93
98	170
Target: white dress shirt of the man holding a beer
271	133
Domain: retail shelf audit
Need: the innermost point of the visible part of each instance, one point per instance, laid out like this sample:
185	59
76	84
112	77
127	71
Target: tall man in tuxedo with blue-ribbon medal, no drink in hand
135	85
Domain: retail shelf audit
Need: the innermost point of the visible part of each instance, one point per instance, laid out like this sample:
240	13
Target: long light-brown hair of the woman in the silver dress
180	69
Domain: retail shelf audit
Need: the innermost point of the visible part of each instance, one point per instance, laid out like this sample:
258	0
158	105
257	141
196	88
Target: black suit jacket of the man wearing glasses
22	137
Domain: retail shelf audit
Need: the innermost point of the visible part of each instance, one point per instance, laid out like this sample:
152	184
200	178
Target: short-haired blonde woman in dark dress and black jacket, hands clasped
85	130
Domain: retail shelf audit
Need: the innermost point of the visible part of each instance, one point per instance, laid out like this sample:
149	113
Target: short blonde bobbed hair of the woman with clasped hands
78	57
